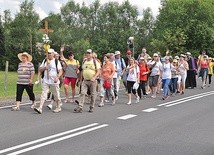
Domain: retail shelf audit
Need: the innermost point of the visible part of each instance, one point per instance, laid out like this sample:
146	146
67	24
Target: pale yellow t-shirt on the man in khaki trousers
89	69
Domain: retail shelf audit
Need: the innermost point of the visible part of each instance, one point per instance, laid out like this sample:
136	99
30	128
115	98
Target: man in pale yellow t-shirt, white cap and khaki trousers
90	72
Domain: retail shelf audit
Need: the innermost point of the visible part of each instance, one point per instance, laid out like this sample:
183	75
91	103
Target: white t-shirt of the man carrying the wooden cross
52	71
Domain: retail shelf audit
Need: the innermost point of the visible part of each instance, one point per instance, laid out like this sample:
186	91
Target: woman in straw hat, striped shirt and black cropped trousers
26	73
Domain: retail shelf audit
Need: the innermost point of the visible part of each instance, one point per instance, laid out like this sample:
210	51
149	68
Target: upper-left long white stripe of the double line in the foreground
47	138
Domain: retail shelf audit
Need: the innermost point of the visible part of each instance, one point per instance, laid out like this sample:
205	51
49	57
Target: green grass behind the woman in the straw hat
10	90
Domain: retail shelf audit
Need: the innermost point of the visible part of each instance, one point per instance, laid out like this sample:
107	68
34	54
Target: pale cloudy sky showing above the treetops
44	7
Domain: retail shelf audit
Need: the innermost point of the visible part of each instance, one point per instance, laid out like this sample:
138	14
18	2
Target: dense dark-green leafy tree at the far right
188	24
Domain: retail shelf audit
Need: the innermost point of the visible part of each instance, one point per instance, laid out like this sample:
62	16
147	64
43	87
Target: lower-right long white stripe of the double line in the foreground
57	140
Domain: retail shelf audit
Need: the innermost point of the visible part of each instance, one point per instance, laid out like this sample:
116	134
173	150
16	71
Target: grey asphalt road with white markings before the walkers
181	125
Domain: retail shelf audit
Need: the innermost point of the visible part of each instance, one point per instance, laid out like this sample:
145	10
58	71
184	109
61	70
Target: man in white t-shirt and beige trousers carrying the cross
52	73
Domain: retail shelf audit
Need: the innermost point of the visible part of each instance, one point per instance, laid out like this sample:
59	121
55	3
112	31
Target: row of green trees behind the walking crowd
180	26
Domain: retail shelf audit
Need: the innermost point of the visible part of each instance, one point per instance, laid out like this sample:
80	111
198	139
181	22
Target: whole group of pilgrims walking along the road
143	77
